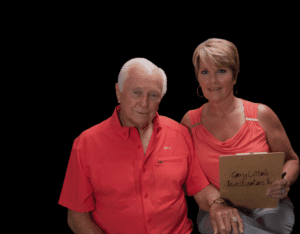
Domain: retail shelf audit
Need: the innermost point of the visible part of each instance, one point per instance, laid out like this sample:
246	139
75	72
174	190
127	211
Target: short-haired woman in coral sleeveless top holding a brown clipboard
227	125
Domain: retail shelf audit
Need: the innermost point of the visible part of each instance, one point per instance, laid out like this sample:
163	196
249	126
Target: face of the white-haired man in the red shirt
141	96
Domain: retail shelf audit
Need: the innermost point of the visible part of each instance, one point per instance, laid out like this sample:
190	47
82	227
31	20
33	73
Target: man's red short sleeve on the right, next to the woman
196	179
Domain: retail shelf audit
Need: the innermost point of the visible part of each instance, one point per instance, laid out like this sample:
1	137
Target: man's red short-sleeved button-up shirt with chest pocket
127	191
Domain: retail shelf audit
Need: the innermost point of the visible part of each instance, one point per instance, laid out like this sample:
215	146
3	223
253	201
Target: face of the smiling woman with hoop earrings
216	82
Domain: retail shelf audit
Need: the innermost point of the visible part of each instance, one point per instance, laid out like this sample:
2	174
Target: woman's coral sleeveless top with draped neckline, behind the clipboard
250	138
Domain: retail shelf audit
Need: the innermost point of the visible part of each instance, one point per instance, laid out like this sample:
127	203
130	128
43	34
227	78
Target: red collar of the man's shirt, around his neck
124	132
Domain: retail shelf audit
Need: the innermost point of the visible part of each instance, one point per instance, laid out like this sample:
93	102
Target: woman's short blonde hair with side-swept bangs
220	52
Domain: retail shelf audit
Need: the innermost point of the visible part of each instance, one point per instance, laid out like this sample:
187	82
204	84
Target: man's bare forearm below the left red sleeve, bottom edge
82	223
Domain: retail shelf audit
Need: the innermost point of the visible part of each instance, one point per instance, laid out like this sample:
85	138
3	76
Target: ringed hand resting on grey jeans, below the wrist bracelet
222	218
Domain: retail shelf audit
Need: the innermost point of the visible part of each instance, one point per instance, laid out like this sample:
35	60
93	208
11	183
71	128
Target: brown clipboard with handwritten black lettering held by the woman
245	178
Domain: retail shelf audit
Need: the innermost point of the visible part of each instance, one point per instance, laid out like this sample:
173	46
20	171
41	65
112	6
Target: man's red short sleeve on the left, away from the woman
77	192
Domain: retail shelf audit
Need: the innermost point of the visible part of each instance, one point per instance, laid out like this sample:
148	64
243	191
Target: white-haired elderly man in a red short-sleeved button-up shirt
130	173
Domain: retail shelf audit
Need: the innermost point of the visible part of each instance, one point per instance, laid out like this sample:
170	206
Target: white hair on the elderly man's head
144	62
